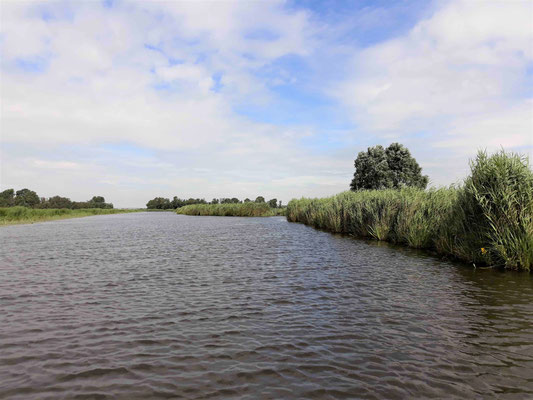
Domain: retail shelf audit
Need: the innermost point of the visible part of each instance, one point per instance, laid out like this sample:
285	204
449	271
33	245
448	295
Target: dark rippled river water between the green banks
156	305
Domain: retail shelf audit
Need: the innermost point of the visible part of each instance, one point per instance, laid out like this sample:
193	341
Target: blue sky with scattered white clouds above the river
137	99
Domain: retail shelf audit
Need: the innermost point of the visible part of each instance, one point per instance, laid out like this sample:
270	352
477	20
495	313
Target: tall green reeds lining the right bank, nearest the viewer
486	221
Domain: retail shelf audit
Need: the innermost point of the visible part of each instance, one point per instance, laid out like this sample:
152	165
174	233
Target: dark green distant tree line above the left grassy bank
29	198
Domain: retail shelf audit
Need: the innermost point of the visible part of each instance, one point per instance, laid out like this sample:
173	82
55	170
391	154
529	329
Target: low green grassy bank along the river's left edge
24	215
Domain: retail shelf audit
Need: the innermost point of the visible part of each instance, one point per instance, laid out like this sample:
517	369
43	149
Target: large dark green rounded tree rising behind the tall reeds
390	168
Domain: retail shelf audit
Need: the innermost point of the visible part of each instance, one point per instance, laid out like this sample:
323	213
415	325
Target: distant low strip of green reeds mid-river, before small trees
231	210
